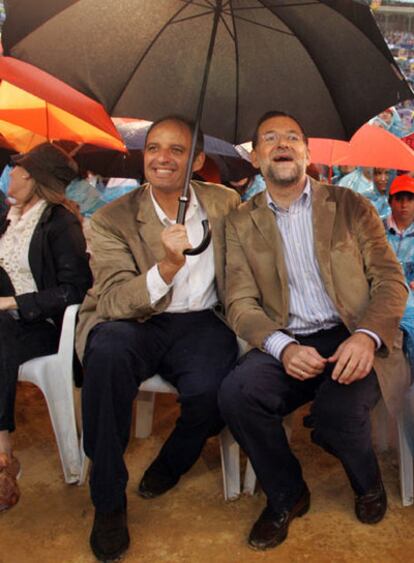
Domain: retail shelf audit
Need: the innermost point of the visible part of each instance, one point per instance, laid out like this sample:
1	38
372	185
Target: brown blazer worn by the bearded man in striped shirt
358	267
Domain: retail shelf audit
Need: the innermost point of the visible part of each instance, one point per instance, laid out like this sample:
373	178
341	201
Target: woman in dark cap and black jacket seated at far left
43	269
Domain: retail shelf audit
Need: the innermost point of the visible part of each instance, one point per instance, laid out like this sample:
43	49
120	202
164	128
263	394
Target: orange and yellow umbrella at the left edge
35	107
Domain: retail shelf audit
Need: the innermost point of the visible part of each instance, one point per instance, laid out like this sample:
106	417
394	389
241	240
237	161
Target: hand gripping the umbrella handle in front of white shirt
174	240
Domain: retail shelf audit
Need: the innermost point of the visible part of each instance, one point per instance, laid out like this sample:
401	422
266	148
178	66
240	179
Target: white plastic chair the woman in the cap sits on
53	374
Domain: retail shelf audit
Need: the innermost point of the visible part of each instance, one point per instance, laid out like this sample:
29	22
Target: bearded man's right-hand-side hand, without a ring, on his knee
354	358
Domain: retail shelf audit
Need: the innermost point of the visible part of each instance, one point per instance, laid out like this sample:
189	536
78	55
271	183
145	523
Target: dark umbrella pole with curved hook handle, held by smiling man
184	198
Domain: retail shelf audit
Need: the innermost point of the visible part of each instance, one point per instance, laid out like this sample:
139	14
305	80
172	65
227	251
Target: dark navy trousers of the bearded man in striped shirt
258	393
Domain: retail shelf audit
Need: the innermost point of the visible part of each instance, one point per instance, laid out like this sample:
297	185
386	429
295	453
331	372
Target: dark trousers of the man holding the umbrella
193	351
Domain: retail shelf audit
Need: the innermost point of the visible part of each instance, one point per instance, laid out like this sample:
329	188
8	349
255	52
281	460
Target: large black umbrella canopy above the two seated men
324	61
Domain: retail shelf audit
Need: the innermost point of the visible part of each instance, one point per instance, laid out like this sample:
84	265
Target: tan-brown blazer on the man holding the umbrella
126	243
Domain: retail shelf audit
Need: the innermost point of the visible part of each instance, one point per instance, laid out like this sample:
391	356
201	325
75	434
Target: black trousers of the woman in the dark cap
20	341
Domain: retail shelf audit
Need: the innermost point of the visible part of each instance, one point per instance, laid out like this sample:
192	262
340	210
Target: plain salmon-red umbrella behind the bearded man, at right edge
370	146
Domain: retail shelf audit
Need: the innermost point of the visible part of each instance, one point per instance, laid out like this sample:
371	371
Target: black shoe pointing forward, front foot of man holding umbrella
109	537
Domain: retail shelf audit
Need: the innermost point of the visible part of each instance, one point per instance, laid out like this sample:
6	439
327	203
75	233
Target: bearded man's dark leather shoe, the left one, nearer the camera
271	528
